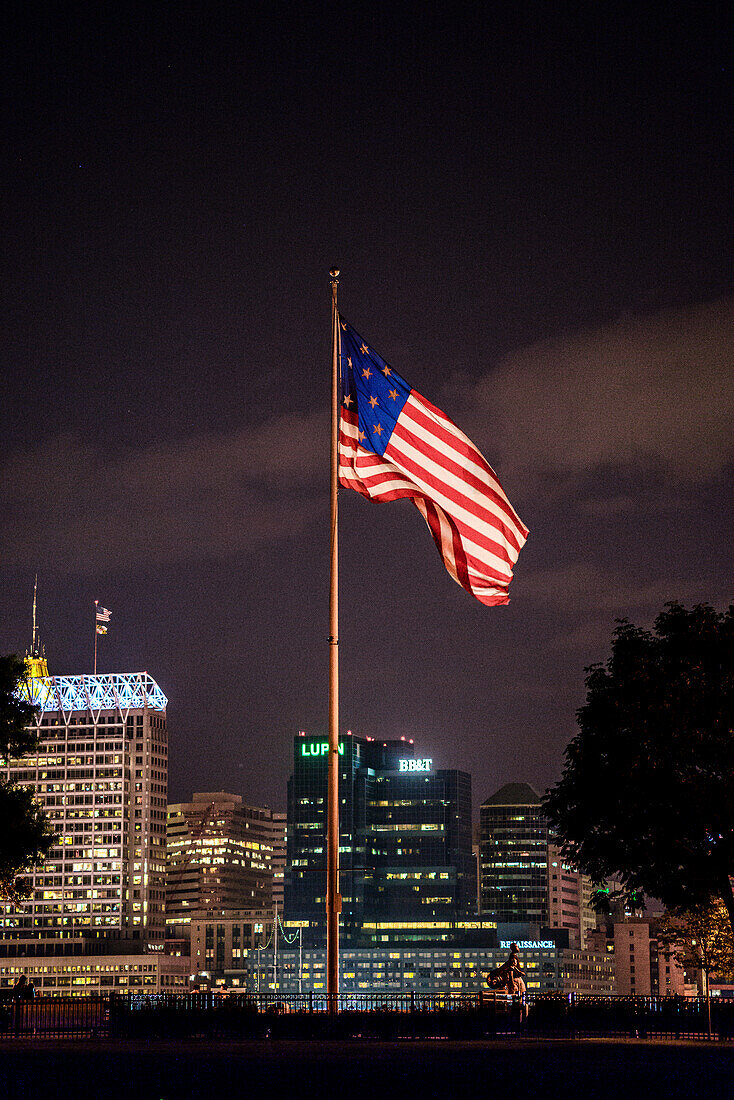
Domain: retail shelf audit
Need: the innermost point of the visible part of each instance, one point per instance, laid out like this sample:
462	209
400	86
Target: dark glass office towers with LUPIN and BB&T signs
407	866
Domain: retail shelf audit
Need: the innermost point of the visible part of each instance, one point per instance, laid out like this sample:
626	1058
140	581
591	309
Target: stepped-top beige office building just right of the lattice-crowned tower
218	856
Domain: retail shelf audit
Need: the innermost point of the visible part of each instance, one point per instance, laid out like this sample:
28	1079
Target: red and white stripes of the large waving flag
432	463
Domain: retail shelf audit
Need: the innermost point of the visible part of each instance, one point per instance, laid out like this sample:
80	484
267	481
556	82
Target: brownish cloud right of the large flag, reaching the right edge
654	392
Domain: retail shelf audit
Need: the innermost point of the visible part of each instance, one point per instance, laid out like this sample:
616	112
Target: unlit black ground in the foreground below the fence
520	1069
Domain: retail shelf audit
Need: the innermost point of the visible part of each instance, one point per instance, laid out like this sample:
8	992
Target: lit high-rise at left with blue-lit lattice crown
101	774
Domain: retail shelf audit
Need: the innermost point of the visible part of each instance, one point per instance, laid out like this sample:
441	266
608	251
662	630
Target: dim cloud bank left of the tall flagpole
210	497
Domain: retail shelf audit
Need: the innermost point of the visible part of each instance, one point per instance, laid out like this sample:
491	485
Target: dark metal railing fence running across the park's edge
410	1016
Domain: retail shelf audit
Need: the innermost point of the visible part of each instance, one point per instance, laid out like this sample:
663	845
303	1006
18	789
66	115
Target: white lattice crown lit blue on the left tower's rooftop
113	691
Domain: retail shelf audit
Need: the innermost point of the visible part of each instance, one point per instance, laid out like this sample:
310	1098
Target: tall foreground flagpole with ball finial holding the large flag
333	896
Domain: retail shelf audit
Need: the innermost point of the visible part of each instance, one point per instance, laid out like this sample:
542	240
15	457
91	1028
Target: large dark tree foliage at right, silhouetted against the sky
648	793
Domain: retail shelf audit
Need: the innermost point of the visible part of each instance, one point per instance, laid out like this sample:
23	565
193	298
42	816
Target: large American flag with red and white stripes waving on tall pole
395	444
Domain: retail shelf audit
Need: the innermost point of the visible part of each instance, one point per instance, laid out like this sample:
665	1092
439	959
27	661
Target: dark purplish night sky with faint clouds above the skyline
532	212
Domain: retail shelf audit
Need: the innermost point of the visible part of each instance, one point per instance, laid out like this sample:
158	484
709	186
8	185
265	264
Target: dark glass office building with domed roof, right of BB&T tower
514	856
